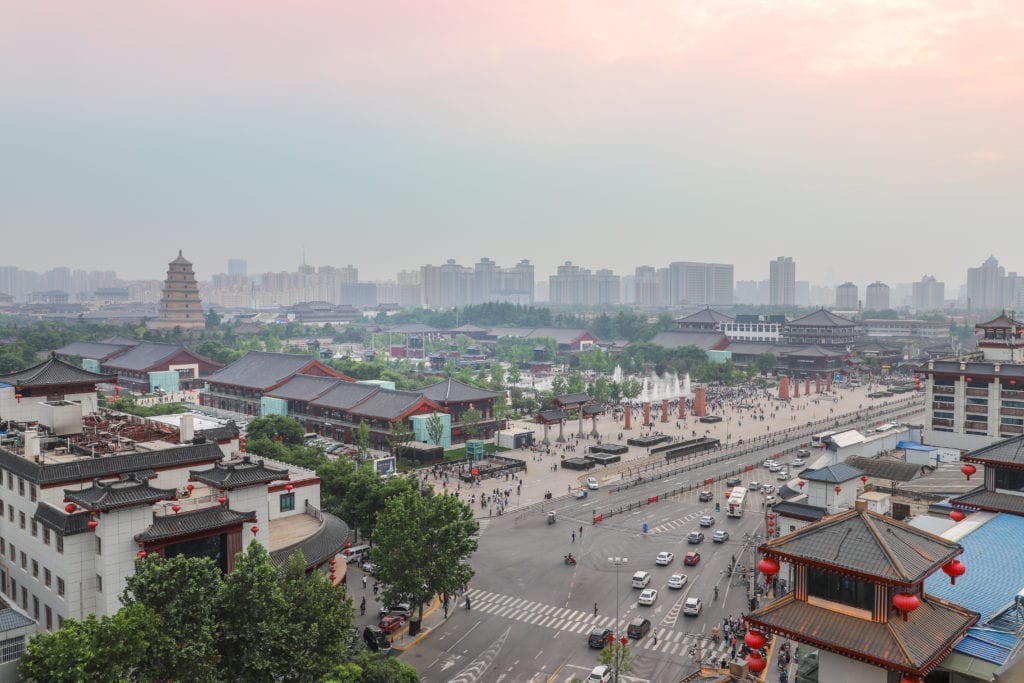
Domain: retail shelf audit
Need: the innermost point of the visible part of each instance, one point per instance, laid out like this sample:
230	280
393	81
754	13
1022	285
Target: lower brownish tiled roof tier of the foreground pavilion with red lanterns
918	645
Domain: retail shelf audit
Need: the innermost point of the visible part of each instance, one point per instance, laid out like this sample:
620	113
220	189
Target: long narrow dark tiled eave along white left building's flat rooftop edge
87	469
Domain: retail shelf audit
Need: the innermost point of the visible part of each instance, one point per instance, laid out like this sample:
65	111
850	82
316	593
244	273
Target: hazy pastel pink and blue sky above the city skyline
867	139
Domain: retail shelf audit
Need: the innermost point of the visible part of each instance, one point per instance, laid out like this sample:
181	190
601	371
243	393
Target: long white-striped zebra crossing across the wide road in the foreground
582	623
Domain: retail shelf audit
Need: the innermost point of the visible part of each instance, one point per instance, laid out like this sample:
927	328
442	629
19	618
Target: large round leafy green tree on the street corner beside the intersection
422	545
